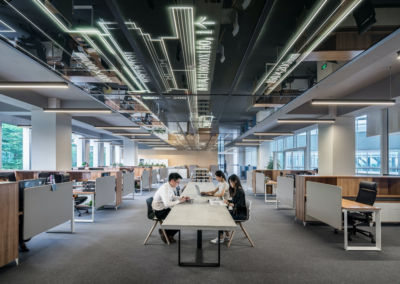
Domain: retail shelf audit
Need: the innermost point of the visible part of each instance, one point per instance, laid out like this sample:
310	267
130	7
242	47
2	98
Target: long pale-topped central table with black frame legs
200	216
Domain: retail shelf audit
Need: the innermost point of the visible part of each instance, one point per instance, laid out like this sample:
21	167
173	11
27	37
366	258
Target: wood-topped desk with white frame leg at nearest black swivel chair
352	206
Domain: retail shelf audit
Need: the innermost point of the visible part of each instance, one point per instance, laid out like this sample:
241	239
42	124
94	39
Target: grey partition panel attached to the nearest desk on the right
324	203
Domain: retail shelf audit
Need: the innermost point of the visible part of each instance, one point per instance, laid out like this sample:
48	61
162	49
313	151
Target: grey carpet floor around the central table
111	250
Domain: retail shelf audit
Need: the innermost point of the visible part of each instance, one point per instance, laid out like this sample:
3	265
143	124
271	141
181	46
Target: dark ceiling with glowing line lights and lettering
144	55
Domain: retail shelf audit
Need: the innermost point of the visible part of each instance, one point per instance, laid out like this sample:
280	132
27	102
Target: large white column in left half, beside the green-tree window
51	141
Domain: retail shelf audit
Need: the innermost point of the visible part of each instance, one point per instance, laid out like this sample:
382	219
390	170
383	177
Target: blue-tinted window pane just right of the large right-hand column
368	144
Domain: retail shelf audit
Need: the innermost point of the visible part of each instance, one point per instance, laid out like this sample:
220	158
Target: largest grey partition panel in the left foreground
45	209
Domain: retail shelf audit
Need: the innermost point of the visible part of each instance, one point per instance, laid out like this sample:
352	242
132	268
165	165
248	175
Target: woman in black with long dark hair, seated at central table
237	204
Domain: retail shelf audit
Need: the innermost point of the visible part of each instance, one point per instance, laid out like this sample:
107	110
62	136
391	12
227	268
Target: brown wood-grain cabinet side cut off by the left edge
8	222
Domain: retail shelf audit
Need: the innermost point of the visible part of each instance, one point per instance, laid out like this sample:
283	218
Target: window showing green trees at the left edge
12	145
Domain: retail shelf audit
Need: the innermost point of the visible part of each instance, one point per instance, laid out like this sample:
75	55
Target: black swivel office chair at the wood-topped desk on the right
366	195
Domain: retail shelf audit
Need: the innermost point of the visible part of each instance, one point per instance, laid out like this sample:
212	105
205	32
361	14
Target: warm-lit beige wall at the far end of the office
203	159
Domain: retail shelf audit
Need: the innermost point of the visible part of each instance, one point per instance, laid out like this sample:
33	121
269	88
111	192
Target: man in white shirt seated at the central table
164	199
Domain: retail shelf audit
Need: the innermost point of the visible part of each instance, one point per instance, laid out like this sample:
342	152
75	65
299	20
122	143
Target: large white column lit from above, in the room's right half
336	147
